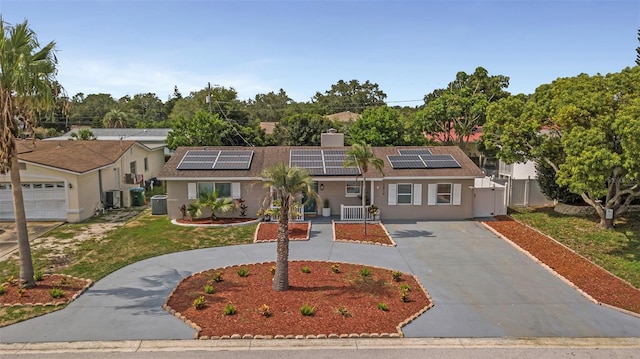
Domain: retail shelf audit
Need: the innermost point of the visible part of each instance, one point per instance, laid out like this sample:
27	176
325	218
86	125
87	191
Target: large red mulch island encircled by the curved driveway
322	288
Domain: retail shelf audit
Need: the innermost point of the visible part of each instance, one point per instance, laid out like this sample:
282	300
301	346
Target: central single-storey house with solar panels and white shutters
406	188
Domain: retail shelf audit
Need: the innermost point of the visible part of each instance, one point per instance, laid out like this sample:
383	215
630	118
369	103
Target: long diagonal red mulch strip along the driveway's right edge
590	278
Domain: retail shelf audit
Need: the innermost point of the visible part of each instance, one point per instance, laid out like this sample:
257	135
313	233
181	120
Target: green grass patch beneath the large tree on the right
617	250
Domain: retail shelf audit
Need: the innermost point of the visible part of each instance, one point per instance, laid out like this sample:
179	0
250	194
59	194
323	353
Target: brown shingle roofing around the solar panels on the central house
264	157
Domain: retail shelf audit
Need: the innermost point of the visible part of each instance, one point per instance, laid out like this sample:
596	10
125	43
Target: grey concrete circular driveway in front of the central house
481	286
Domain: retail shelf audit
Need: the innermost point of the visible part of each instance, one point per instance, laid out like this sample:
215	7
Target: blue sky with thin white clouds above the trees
409	48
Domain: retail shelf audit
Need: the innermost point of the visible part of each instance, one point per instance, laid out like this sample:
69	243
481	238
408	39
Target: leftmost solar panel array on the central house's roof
216	160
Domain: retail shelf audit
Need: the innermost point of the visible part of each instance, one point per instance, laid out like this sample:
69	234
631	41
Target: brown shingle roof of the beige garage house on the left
74	156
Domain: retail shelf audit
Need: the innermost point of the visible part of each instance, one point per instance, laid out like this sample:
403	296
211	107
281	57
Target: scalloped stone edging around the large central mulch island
198	329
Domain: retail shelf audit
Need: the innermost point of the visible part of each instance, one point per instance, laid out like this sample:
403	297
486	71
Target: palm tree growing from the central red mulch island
287	185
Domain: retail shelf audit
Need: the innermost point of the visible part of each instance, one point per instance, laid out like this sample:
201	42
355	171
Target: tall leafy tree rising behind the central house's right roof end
454	113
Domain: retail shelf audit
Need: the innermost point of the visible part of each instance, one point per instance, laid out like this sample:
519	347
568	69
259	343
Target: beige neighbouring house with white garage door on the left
68	180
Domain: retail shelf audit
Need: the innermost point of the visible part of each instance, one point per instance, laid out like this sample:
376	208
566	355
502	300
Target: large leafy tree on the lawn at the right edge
584	127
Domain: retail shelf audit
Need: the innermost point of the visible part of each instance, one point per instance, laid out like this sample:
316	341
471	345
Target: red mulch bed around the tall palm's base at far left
40	293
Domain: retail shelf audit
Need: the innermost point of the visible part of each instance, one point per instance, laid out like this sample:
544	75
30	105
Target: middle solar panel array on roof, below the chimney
322	162
